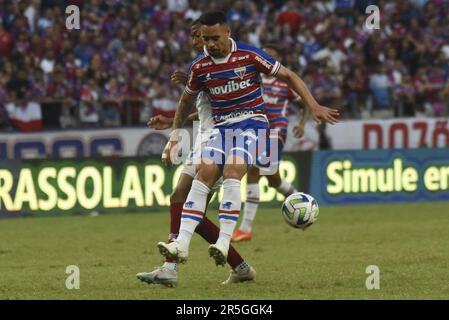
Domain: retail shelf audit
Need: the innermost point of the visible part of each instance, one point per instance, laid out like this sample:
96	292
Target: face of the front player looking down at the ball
216	40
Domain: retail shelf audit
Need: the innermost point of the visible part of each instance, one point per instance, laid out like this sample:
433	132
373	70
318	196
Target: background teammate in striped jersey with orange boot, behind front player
277	95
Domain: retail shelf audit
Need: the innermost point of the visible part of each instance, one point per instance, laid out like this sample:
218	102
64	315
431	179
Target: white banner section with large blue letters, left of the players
83	143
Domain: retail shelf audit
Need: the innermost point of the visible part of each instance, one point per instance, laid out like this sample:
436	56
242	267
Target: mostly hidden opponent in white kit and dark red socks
167	273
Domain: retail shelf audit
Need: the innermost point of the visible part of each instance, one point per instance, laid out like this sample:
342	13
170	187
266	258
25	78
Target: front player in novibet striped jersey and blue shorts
229	71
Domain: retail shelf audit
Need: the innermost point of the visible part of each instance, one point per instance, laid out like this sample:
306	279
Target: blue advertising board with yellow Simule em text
374	176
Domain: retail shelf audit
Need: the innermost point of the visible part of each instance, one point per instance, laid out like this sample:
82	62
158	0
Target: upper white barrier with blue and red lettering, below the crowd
141	141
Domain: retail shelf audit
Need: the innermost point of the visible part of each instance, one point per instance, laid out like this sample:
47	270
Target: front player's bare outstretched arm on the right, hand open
296	84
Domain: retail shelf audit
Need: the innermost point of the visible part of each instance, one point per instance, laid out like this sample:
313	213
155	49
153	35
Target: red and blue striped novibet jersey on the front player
233	83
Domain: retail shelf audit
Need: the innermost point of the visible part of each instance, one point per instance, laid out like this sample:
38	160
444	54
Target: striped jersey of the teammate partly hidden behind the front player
277	95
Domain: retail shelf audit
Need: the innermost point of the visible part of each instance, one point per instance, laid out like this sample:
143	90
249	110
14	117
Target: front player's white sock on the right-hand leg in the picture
229	211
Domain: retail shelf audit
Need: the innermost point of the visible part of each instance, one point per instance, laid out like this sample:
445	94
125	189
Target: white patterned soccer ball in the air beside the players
300	210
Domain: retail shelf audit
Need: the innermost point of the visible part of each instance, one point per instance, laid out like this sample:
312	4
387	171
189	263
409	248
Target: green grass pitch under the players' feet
408	242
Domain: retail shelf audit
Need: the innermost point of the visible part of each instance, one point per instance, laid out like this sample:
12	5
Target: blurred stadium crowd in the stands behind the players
115	70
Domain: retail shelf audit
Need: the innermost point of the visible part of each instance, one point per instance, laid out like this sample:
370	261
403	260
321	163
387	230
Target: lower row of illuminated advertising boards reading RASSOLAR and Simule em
143	184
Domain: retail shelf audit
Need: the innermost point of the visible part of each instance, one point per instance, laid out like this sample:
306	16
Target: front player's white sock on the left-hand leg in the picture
192	212
